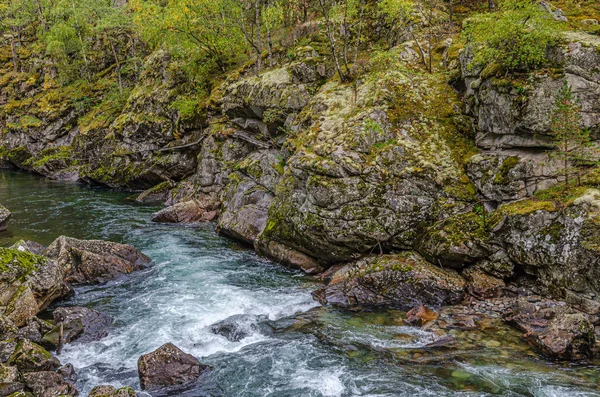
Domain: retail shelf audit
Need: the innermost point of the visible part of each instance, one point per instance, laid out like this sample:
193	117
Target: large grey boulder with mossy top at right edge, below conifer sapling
558	247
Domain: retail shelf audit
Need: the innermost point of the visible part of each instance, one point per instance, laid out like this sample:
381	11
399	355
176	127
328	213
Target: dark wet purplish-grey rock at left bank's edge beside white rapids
78	323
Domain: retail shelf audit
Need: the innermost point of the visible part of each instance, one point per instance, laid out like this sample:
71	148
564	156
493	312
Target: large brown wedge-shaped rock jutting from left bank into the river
95	261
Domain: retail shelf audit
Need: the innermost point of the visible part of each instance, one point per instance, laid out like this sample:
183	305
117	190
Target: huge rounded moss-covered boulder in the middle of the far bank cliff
373	165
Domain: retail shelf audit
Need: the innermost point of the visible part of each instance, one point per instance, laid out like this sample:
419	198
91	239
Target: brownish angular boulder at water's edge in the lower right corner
554	329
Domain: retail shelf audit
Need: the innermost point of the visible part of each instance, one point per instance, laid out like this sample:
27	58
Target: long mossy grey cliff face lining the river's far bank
315	172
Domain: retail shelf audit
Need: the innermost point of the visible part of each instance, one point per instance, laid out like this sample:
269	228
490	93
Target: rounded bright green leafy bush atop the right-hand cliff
515	37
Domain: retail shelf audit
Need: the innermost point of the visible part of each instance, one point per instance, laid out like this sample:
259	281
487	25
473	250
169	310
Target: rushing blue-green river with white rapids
294	347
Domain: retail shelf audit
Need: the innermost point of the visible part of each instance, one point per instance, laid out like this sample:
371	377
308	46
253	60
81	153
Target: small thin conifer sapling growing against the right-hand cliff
573	143
